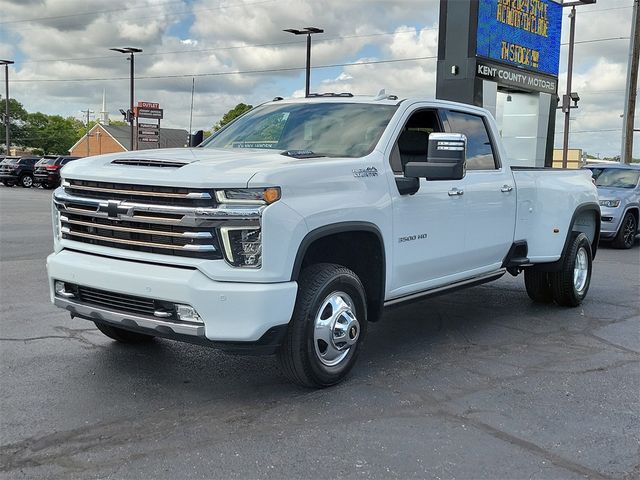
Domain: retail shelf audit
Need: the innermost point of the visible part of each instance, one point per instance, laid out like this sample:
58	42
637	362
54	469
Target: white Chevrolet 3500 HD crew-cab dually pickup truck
297	224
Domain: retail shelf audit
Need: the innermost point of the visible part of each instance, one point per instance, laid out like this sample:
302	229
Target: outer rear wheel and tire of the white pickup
571	284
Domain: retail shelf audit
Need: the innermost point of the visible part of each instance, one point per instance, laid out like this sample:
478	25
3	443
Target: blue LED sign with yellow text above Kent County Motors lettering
518	43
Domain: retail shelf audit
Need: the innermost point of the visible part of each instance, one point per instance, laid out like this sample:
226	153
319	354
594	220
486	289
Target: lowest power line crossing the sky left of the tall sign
235	72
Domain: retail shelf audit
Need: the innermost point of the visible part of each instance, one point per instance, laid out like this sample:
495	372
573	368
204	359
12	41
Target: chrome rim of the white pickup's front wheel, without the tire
336	329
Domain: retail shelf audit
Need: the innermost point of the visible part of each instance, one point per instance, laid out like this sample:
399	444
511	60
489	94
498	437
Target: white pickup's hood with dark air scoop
180	167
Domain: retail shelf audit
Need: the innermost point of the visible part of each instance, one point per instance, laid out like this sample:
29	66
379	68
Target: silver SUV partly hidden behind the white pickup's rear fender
619	193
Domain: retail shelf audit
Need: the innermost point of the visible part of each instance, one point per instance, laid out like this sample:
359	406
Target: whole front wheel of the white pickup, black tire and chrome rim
328	326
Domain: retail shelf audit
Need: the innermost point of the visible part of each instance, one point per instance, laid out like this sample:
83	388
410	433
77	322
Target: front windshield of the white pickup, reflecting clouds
307	130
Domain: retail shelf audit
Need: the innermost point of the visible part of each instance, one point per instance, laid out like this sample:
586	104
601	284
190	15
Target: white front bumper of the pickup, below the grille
238	313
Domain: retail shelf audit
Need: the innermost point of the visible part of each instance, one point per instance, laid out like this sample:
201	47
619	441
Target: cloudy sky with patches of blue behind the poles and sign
237	52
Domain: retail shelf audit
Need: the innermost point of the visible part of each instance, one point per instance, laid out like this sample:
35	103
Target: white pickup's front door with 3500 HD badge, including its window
428	226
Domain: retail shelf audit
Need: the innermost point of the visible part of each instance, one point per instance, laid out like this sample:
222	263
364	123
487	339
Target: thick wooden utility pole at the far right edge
632	87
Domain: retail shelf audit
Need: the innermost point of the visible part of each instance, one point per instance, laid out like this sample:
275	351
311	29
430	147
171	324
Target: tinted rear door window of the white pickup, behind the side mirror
479	151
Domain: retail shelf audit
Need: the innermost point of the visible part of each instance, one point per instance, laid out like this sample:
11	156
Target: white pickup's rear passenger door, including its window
489	194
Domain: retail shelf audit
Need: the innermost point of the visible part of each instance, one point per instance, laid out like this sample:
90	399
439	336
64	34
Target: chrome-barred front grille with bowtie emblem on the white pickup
169	221
